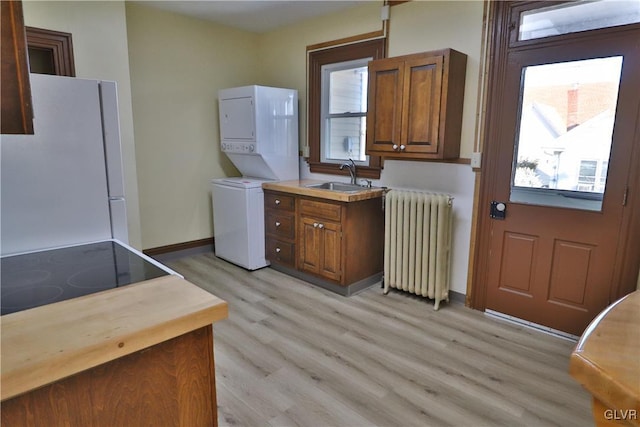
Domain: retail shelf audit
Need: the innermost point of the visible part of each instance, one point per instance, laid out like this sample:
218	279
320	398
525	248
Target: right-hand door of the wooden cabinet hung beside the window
421	105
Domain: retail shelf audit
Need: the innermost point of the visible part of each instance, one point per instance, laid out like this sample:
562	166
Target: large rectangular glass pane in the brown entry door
567	114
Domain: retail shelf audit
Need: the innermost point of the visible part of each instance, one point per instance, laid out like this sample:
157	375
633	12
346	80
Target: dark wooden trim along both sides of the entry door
628	260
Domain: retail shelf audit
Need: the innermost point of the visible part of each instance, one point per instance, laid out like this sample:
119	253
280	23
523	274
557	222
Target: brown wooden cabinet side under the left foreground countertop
169	384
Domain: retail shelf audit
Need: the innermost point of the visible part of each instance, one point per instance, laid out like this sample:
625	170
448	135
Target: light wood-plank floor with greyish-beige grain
292	354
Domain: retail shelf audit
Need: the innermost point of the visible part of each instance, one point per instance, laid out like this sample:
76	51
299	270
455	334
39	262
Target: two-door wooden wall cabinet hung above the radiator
415	105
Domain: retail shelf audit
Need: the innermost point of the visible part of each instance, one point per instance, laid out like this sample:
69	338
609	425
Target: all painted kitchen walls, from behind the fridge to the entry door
170	67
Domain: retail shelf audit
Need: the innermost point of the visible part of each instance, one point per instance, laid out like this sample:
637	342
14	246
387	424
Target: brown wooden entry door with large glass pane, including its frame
553	242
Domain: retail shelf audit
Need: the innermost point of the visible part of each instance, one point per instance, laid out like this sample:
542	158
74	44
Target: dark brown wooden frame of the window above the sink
375	49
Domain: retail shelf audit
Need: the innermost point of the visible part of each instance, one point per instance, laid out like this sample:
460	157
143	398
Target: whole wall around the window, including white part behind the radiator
414	27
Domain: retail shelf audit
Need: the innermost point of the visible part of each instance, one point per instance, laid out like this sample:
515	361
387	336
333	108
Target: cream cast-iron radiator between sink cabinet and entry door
417	247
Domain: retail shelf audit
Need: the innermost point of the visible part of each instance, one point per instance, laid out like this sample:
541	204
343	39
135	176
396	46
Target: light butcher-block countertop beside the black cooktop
48	343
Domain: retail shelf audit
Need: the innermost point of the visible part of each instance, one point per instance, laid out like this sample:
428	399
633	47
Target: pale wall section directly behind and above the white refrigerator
99	37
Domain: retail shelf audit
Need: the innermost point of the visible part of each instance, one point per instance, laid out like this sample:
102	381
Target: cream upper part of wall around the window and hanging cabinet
414	27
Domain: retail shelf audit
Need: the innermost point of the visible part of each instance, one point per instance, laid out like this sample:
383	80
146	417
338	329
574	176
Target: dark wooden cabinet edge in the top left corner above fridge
17	110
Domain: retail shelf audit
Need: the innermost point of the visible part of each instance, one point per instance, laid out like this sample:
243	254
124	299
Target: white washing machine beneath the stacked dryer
238	226
